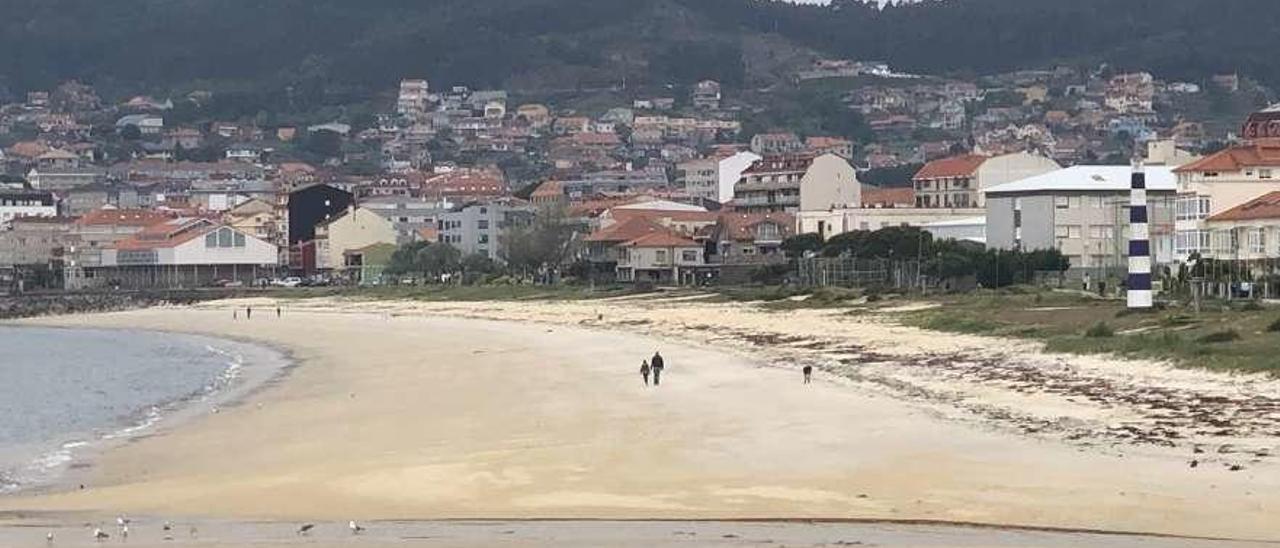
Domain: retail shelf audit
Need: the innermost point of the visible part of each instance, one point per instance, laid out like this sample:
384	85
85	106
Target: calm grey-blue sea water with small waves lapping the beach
66	391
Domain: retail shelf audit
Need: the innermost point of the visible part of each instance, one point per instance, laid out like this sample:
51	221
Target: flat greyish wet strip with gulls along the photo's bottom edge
591	535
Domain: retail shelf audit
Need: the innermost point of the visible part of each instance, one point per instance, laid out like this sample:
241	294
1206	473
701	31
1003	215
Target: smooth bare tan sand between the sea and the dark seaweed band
405	414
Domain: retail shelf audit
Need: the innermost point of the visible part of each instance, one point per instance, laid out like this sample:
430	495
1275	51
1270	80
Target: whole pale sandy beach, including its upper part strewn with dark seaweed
520	410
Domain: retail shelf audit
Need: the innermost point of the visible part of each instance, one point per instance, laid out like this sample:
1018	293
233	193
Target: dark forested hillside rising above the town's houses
134	45
